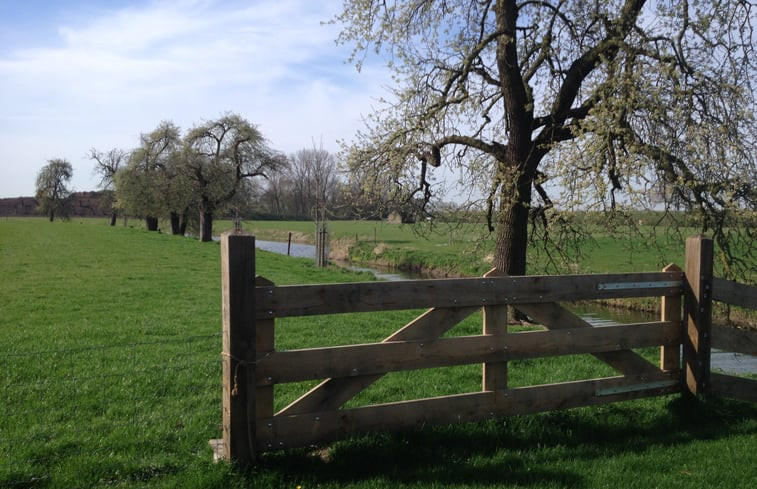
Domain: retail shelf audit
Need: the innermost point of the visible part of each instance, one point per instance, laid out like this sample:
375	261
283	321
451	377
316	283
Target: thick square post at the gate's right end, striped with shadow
698	310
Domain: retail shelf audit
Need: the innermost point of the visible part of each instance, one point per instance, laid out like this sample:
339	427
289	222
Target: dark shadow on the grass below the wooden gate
547	450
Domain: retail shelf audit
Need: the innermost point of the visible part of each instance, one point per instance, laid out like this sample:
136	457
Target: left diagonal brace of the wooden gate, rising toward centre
332	393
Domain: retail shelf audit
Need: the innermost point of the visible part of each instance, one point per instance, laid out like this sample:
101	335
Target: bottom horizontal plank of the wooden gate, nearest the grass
305	429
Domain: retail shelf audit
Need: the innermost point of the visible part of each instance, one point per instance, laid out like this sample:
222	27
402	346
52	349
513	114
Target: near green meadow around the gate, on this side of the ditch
110	369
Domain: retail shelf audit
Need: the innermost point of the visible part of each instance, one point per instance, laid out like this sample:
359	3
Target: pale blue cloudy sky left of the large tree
82	74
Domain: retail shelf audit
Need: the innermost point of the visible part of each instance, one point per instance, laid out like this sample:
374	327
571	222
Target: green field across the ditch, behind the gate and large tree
463	250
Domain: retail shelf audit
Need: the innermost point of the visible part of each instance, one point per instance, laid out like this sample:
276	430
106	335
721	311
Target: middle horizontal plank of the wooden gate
379	358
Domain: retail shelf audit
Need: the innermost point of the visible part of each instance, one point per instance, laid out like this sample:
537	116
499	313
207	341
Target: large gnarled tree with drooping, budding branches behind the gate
559	105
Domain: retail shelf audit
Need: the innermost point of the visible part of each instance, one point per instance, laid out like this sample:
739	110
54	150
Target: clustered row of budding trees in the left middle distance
203	172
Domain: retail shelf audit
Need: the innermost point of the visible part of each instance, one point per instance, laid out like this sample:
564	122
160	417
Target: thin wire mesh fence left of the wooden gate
132	408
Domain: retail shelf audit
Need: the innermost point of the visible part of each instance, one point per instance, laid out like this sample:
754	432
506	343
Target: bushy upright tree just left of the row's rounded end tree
145	187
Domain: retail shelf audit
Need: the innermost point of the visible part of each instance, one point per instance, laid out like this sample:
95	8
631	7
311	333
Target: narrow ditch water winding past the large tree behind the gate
728	362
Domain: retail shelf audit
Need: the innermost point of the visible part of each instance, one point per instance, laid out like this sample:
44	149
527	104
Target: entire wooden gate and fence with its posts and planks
252	365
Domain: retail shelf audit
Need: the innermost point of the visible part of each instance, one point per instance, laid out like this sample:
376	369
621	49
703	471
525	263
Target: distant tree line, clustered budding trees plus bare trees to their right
225	167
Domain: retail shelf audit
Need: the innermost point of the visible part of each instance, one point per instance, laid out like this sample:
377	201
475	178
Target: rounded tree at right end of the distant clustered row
218	156
